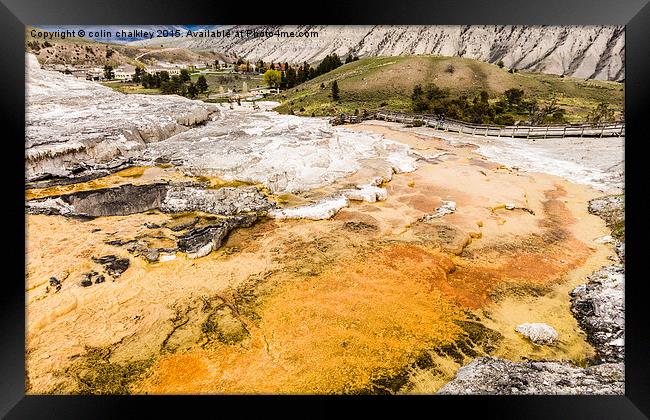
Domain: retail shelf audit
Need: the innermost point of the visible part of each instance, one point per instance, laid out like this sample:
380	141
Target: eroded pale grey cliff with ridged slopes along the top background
596	52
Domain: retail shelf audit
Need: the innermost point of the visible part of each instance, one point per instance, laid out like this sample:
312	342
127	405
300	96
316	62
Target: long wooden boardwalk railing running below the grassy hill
519	131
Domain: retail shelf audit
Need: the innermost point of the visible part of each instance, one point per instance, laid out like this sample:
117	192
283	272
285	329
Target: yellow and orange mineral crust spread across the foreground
347	305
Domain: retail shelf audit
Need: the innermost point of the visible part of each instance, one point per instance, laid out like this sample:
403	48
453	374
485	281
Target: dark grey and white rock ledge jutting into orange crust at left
239	206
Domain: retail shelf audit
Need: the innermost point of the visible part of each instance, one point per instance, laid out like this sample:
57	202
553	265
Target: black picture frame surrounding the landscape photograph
15	14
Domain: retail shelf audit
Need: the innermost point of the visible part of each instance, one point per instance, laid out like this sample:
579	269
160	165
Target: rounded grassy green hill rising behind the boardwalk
387	82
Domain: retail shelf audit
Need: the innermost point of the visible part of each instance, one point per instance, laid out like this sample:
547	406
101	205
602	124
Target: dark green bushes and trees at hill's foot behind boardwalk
432	99
